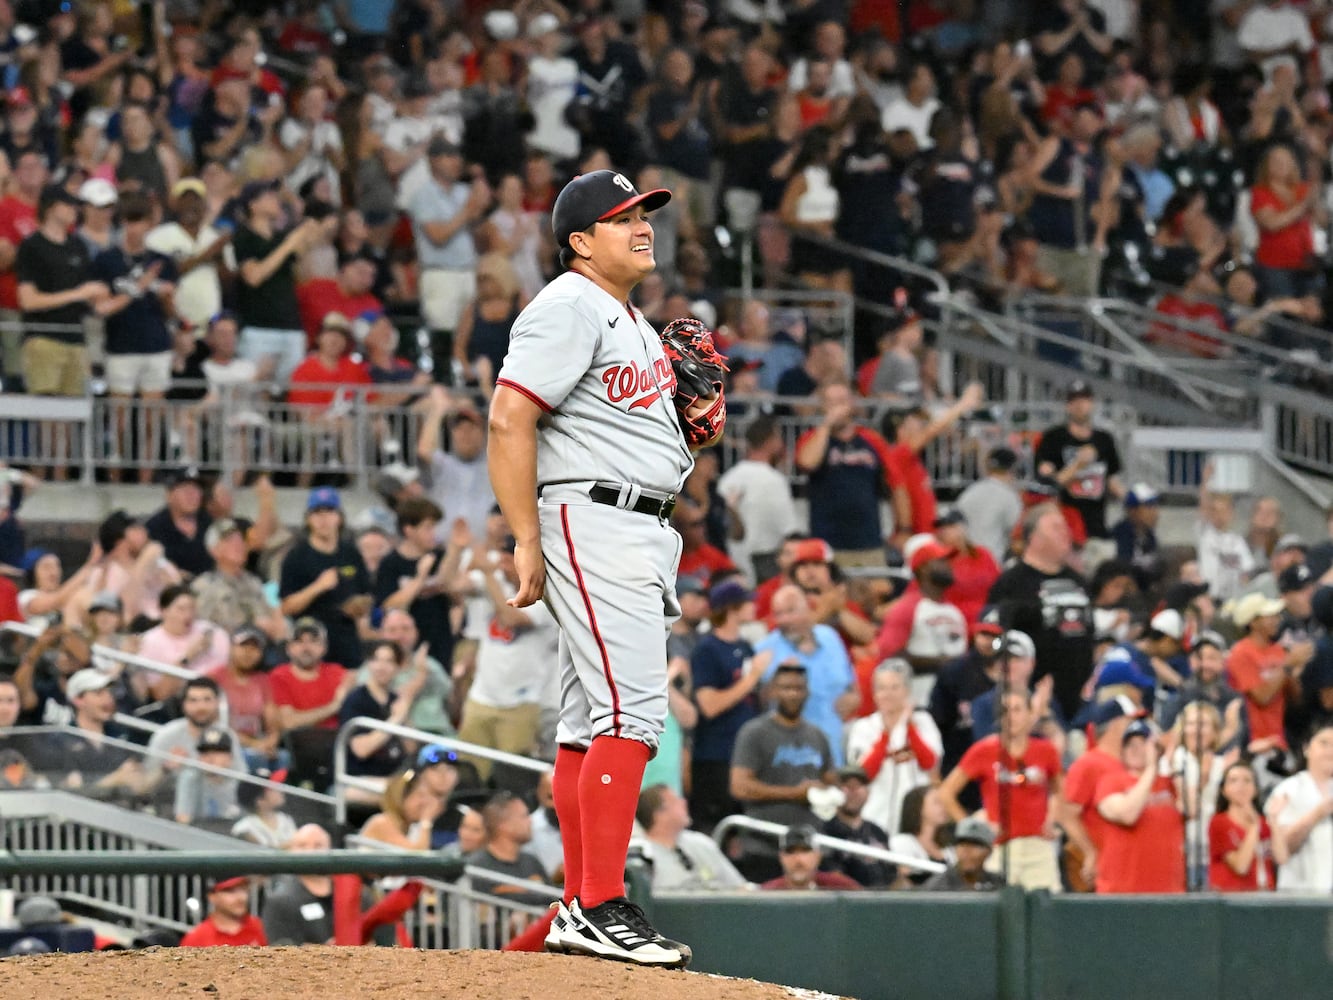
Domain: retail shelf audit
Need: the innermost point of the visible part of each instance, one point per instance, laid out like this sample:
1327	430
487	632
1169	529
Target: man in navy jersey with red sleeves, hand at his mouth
848	470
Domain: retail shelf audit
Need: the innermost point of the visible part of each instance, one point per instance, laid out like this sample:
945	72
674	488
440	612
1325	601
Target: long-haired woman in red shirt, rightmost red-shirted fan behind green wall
1240	843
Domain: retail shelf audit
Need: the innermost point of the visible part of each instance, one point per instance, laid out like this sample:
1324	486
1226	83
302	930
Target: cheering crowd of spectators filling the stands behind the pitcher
203	199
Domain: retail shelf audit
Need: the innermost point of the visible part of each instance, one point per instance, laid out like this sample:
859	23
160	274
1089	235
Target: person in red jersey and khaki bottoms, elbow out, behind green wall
1020	782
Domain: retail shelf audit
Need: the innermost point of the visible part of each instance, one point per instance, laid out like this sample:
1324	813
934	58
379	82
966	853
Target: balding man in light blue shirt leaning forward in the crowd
832	694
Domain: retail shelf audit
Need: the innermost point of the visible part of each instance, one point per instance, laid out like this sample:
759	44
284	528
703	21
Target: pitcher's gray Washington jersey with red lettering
603	383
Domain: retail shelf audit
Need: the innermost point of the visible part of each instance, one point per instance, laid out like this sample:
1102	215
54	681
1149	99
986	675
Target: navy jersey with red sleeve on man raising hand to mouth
846	490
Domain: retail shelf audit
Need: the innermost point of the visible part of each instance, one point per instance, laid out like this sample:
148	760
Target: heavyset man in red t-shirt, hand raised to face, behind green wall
1146	839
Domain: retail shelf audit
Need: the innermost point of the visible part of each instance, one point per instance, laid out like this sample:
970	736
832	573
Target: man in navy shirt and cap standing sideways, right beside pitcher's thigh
726	674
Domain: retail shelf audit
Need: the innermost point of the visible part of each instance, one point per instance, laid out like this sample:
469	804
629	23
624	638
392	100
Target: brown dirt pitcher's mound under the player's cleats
331	974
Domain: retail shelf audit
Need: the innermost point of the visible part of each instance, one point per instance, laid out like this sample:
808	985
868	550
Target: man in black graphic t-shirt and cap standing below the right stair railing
1084	462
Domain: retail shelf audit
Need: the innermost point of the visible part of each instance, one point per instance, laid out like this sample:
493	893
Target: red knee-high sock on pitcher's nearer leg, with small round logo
609	795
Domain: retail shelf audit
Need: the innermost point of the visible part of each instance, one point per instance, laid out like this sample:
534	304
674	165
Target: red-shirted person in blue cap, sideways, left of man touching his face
1083	825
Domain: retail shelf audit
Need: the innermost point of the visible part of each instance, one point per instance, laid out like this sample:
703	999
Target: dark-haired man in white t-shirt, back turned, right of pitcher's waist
760	495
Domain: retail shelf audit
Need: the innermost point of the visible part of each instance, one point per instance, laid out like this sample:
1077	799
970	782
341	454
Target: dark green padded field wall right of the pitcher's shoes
1014	946
